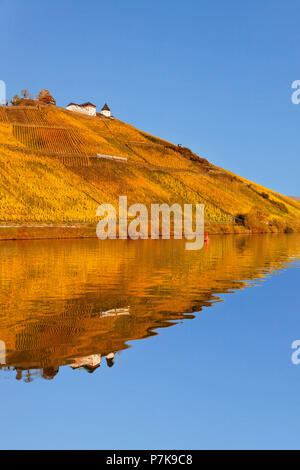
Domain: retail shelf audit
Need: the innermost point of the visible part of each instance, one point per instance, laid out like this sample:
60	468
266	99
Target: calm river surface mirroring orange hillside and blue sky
113	344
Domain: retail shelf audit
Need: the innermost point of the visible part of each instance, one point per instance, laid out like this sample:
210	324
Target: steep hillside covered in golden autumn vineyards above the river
50	173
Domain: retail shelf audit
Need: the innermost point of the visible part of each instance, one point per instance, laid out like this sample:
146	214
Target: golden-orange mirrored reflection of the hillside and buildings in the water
67	302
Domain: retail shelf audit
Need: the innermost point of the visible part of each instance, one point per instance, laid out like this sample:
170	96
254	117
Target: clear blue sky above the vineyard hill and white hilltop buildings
212	75
